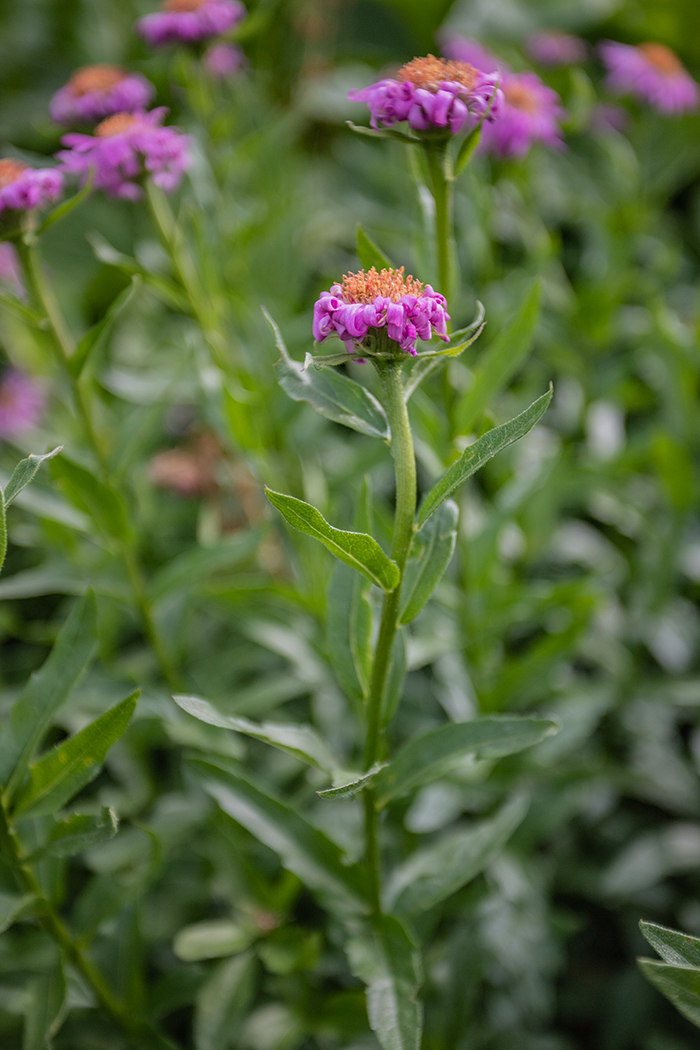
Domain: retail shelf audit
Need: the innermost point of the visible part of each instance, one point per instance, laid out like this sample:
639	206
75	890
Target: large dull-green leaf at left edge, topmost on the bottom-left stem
46	692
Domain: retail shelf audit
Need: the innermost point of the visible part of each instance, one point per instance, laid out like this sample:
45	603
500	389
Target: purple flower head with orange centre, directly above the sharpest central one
432	94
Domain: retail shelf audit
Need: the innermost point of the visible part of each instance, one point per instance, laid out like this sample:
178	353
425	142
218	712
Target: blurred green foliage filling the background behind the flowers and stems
574	591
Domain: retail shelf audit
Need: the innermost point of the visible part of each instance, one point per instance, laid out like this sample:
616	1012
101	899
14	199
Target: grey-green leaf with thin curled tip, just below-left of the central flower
334	396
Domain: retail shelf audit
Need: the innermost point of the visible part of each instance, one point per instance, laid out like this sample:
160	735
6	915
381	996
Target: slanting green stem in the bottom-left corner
138	1031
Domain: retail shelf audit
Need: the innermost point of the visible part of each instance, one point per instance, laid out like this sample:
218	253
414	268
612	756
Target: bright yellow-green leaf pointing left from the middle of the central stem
356	550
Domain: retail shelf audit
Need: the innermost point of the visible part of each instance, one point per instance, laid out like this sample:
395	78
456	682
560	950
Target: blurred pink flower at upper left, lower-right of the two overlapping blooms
124	149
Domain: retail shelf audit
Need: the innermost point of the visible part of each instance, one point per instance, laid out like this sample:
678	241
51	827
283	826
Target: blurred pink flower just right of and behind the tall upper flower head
531	114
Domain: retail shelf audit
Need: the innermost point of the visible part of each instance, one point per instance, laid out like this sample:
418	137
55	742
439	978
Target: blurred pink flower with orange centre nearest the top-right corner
652	73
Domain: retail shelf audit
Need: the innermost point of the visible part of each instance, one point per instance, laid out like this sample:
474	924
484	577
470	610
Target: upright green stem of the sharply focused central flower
405	467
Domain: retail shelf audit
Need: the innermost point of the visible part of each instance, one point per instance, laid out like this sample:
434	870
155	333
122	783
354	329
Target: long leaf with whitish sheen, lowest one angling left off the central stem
302	848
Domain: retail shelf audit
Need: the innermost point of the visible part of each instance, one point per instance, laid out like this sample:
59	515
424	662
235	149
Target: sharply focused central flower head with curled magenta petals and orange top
380	311
